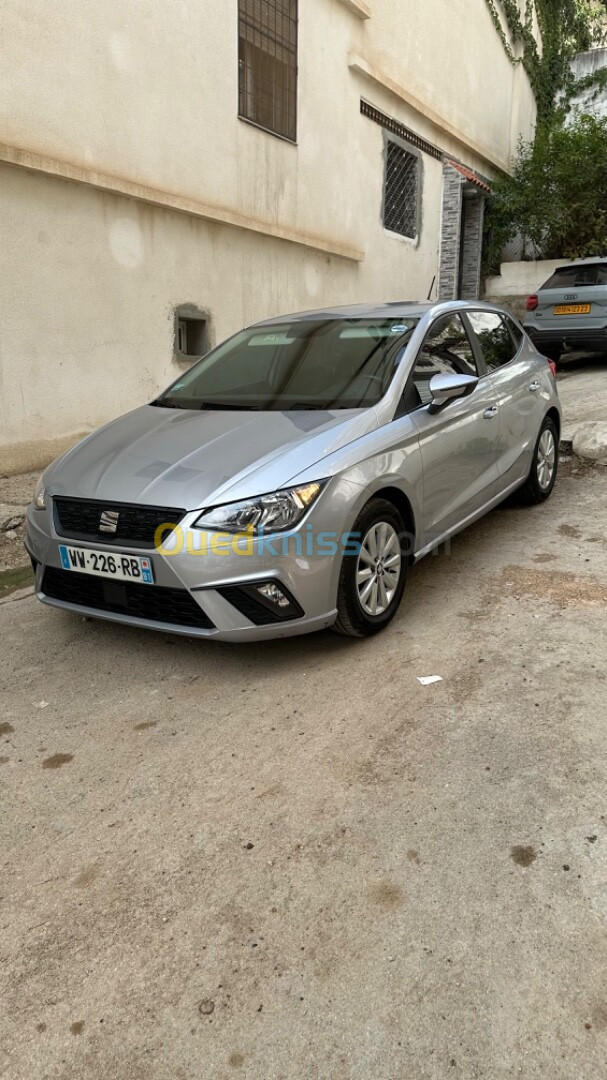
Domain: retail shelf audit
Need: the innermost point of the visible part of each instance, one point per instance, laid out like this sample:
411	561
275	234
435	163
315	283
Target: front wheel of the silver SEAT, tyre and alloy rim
379	528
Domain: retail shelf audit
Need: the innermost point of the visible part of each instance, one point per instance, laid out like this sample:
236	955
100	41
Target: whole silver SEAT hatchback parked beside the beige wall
291	478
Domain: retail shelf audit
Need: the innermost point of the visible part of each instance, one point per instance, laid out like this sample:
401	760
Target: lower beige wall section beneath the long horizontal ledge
90	280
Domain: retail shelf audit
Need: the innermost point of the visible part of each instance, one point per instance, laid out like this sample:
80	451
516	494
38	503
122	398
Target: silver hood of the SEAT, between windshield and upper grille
188	460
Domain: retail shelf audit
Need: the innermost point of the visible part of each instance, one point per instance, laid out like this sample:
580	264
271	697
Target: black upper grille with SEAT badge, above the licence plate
80	519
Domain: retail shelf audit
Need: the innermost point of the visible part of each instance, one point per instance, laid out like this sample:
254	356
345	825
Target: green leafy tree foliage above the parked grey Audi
557	198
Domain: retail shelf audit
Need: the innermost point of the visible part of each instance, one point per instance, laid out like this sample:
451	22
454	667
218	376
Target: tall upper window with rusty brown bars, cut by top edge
268	65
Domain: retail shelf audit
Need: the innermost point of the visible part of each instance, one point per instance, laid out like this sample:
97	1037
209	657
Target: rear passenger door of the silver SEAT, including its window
517	391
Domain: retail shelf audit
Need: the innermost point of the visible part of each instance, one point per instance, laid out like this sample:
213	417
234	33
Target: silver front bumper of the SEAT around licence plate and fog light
212	590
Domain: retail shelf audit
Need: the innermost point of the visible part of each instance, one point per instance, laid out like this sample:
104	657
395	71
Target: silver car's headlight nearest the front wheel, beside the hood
272	514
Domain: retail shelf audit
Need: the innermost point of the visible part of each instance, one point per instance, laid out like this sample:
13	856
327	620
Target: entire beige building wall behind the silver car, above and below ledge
141	100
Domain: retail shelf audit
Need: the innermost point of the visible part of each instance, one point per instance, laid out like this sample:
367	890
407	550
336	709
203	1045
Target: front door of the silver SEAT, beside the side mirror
458	442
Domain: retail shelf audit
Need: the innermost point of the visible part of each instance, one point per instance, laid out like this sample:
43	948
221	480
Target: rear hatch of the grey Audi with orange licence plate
574	299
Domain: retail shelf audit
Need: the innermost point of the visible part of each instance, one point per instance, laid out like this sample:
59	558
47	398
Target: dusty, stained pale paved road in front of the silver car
292	860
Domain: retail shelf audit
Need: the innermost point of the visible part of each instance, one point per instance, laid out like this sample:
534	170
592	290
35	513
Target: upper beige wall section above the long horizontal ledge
149	90
